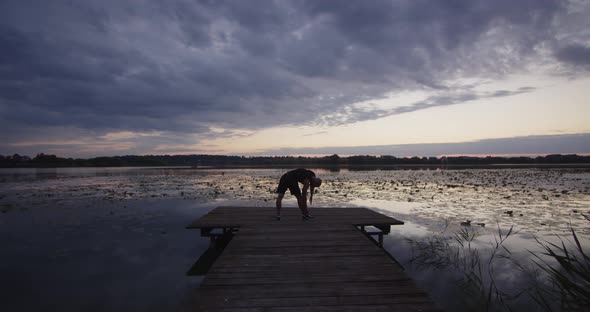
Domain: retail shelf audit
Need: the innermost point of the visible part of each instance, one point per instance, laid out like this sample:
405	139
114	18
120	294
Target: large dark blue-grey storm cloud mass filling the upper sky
184	66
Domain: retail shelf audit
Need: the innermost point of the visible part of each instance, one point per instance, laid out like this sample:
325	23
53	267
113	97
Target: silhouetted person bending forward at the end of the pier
290	181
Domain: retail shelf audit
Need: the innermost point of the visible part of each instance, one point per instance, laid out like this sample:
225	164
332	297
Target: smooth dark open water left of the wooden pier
109	258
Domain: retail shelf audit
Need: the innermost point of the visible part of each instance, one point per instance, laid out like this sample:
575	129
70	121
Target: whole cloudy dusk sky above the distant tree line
398	77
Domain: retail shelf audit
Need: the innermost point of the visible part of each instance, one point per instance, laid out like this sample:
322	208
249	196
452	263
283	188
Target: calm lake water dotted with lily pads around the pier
113	239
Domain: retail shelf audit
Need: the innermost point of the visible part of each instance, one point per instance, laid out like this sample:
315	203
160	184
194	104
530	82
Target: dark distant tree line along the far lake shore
44	160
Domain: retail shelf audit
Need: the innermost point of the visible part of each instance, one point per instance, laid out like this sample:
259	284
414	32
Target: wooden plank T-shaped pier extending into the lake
330	263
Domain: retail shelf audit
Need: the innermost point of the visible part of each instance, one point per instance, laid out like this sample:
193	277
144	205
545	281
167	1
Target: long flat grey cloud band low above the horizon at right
526	145
